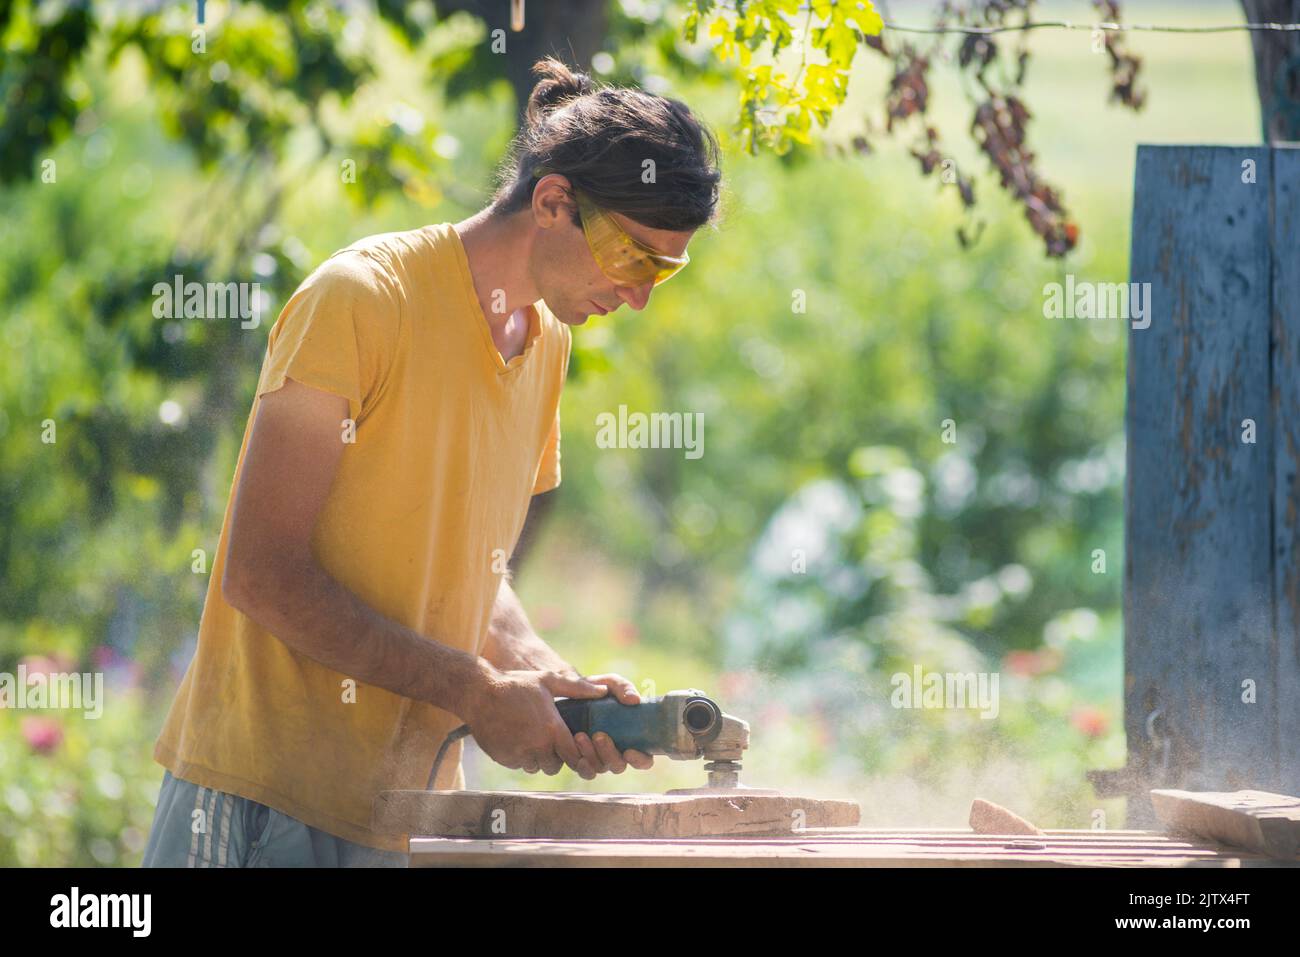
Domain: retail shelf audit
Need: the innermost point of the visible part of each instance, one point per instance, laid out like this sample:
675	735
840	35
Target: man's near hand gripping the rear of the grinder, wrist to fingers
514	720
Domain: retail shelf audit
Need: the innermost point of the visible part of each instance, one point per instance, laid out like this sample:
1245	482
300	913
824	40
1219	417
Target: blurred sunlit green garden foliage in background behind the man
827	331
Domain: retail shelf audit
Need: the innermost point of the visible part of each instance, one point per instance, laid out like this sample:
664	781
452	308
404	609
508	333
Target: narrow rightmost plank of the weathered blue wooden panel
1286	417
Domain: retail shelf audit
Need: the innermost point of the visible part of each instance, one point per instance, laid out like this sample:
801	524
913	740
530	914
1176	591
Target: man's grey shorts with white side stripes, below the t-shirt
201	828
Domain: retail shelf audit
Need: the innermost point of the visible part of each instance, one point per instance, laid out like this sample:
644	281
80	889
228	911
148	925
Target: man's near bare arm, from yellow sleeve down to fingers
272	577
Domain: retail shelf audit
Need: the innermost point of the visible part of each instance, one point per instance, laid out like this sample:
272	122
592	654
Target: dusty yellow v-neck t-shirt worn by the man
450	444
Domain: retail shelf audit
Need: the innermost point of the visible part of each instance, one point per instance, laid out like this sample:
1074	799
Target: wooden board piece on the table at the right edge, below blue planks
1256	820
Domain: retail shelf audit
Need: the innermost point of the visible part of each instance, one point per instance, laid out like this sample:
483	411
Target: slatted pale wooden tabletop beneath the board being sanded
844	848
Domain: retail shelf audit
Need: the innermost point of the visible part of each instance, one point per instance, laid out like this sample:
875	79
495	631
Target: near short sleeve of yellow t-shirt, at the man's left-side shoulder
339	334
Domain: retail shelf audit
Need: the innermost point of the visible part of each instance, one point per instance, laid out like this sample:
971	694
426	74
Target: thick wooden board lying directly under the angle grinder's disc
588	816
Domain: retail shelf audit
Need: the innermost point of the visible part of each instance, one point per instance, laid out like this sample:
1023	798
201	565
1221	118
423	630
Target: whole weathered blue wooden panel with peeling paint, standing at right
1212	506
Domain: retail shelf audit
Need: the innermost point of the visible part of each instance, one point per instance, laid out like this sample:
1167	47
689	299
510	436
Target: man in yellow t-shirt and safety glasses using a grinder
409	408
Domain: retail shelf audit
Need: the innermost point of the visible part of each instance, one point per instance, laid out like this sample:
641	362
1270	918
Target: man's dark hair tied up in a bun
601	137
